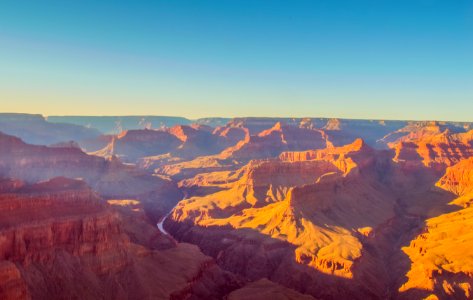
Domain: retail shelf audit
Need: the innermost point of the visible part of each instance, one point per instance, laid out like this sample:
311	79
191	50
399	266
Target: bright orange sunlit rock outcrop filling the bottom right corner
440	264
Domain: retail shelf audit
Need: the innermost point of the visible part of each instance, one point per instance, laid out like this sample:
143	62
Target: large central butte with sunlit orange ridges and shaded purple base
308	216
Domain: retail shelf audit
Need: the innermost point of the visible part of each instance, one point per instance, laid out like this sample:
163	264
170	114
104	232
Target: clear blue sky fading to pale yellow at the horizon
399	59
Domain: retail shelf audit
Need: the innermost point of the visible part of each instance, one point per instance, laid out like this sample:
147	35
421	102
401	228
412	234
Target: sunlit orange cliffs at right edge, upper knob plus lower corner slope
441	264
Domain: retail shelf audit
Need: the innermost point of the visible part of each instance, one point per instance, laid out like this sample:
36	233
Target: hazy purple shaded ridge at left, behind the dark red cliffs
110	178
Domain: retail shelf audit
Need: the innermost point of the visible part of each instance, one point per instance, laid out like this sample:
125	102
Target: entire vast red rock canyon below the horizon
243	208
